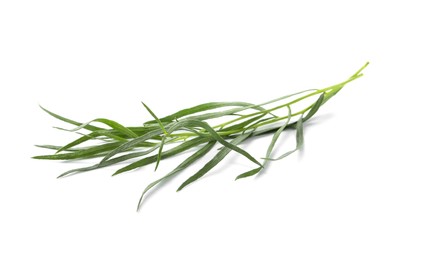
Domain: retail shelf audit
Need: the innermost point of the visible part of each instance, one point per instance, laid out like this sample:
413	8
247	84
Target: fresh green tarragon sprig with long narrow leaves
195	128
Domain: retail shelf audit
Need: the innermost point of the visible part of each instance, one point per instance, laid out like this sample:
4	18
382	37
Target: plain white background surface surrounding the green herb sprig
356	192
